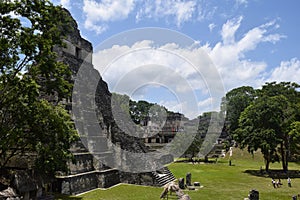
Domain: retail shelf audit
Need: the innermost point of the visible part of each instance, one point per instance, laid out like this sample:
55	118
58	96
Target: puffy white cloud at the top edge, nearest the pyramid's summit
105	11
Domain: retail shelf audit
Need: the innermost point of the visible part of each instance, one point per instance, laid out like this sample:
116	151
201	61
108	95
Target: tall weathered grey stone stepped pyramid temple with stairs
89	172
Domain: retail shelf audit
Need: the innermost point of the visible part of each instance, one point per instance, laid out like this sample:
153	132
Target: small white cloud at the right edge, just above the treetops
287	71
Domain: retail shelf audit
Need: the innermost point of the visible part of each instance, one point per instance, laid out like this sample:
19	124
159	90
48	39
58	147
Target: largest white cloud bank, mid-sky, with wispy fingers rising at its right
198	71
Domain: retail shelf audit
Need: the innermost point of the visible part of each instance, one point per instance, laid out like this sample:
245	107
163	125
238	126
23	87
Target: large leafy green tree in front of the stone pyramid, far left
29	72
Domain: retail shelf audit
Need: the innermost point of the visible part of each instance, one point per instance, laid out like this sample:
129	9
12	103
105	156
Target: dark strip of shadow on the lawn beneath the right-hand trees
274	173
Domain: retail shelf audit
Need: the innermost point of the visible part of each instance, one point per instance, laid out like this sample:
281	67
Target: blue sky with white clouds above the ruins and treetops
246	42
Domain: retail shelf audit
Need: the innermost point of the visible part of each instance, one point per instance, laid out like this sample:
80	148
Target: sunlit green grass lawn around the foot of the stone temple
220	181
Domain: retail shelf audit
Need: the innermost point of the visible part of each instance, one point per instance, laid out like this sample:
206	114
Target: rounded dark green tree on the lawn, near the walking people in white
260	125
